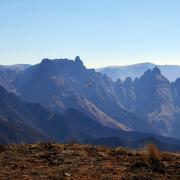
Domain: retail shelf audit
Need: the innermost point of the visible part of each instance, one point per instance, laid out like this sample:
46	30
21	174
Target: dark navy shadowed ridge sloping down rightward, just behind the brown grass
30	123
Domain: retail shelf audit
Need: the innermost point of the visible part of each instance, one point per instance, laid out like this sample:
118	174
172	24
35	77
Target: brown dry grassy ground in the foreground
75	161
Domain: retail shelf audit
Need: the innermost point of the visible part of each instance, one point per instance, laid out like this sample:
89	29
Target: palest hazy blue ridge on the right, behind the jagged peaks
171	72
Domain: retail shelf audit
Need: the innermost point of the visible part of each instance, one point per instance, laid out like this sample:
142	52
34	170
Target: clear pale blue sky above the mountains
101	32
